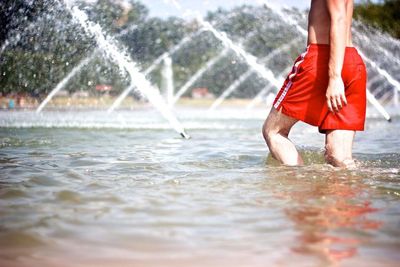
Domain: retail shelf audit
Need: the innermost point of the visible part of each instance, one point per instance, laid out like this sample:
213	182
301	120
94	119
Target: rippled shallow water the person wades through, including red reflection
86	189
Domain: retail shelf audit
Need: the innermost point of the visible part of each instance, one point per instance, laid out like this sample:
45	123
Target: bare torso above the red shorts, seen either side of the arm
319	22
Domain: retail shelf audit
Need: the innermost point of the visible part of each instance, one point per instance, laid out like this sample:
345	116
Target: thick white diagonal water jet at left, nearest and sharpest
126	64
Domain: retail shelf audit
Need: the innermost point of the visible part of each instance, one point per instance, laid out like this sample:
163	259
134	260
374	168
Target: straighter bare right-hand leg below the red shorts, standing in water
338	148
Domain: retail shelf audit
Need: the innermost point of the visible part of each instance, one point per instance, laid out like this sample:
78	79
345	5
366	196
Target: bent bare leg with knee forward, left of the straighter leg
276	131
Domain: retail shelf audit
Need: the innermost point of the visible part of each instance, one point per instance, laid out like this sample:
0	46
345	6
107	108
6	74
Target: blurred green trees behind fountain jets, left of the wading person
46	54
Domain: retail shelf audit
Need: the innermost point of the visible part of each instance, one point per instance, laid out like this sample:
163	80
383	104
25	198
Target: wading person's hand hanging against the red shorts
335	97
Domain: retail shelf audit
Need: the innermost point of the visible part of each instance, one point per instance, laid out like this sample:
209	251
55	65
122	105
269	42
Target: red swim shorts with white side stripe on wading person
303	93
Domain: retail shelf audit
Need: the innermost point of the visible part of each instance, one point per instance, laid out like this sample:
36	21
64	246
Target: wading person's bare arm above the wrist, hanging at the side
337	36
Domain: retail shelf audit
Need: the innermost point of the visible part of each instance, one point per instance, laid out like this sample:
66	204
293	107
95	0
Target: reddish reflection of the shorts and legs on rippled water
327	207
